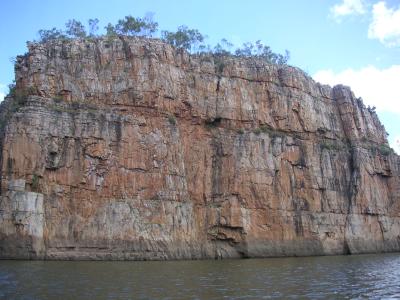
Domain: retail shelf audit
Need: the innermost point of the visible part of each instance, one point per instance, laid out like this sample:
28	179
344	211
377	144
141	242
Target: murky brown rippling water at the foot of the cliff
370	276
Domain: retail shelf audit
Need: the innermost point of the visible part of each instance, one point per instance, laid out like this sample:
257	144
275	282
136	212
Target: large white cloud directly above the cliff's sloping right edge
377	87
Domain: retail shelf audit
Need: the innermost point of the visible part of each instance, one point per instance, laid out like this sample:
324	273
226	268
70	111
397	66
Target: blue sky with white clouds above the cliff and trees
352	42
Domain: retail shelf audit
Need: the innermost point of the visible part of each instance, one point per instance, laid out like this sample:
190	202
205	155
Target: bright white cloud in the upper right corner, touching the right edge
385	24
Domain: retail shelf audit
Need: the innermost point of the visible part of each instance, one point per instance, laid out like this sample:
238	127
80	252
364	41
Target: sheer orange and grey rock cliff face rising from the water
129	149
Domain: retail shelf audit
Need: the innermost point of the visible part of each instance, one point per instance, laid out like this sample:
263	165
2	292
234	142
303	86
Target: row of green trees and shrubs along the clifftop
192	40
